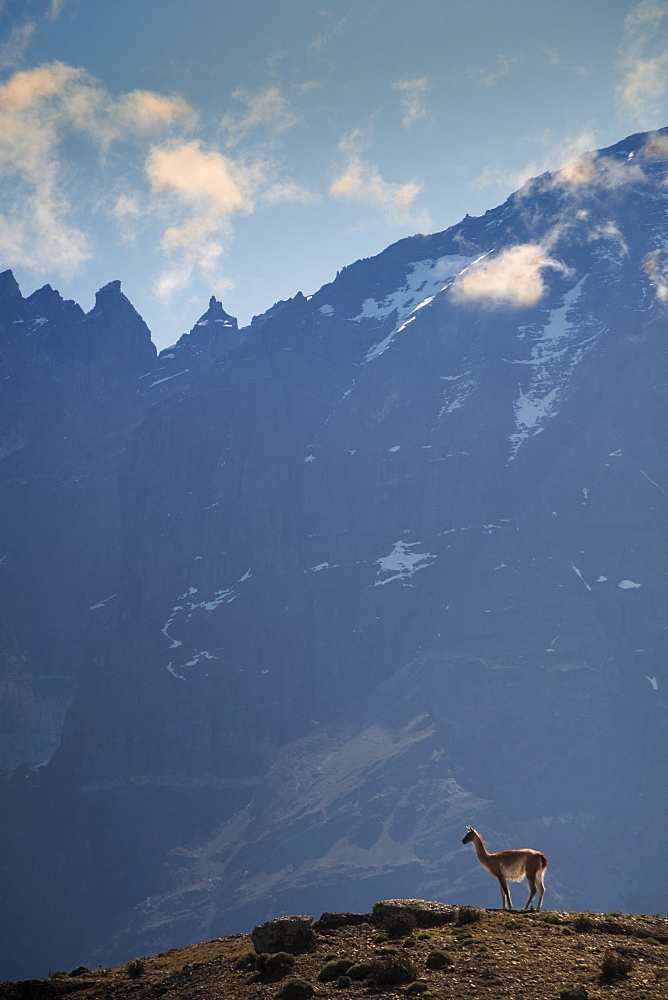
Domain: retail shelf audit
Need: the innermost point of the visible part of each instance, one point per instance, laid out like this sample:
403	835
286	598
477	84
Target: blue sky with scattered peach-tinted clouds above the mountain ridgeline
250	150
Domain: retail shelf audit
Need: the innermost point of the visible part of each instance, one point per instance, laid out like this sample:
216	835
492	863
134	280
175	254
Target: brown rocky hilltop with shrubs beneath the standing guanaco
405	948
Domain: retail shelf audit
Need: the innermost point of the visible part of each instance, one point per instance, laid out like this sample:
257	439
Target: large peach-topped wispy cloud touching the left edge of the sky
40	109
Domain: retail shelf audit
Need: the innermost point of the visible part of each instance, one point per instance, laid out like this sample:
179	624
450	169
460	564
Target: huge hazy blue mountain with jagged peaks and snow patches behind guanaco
387	561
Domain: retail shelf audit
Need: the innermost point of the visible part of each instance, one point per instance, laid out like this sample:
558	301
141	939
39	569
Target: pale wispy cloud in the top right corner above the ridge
644	63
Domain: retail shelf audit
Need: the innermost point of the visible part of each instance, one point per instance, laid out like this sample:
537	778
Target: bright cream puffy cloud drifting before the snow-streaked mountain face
513	278
